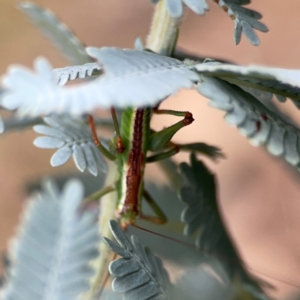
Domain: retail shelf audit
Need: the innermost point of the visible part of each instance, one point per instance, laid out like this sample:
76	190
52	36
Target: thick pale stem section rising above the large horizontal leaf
164	30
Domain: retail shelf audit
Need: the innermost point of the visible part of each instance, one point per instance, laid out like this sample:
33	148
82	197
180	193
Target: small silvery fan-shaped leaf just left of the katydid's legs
72	138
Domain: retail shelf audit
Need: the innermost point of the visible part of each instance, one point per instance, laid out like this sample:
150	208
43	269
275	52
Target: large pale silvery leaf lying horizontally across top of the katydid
143	78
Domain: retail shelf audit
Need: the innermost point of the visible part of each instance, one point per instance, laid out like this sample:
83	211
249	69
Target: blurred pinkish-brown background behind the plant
259	194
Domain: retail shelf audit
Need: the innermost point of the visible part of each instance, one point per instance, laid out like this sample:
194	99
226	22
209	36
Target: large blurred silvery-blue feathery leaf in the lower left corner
53	248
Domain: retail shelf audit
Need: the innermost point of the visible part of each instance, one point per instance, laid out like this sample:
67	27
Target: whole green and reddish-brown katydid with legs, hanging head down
134	139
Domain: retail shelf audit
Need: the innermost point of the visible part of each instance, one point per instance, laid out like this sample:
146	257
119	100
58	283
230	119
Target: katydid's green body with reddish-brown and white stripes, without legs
134	131
